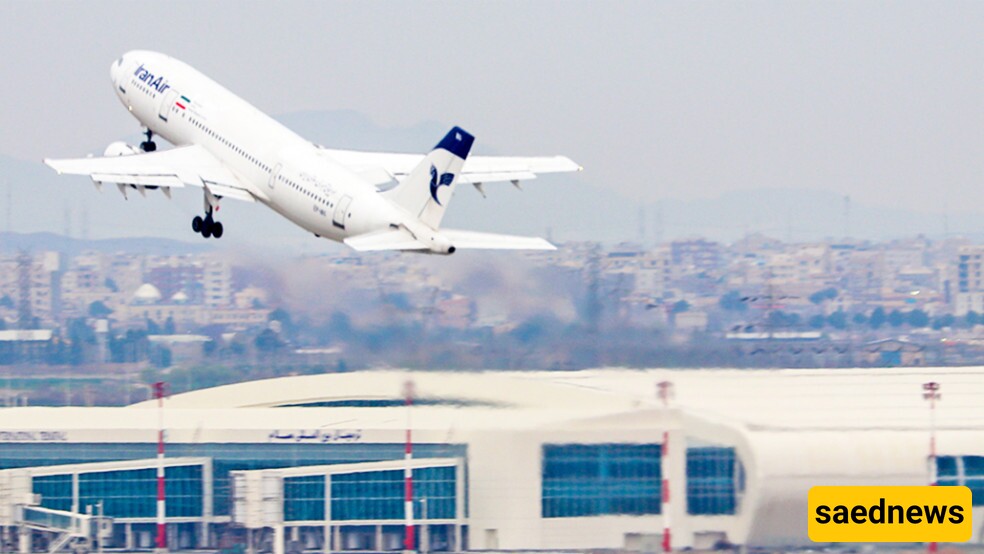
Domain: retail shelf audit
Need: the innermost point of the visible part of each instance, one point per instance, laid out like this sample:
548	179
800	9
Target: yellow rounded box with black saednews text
890	514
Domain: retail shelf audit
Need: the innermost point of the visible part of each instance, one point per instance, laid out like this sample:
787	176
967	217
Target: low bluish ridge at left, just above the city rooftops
34	242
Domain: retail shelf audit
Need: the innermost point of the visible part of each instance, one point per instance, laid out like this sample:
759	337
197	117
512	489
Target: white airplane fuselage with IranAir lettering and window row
289	174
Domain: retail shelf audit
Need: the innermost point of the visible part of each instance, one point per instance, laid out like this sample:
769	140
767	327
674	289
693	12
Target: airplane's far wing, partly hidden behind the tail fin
380	168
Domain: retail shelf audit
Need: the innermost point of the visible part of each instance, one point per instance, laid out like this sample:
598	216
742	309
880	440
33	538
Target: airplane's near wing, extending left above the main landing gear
168	169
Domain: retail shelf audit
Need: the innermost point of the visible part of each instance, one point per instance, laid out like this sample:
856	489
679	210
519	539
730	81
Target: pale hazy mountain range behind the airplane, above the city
569	207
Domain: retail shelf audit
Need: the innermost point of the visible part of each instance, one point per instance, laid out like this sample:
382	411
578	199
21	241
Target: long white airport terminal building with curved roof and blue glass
501	460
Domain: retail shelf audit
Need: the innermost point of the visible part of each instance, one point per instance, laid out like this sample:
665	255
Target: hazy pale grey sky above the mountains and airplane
880	100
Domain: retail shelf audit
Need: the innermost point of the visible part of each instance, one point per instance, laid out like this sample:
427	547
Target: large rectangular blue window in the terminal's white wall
600	479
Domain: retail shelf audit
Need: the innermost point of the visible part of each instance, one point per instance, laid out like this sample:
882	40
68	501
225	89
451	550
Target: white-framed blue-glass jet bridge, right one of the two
345	507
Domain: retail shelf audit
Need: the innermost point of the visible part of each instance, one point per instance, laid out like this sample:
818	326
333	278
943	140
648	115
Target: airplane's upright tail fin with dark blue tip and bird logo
427	190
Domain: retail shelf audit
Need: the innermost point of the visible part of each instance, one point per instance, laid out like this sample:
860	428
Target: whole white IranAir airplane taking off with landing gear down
228	148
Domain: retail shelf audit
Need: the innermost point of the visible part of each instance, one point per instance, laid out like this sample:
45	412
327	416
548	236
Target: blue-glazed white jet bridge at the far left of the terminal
51	507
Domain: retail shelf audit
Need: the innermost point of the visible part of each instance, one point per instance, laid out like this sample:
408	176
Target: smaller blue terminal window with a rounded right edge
715	478
